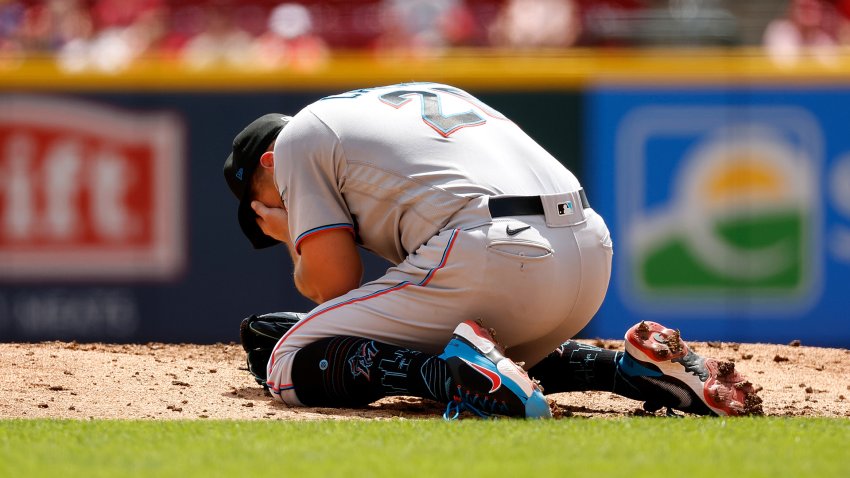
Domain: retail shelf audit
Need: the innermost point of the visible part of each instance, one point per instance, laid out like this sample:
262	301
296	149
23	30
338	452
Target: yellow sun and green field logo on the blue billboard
738	221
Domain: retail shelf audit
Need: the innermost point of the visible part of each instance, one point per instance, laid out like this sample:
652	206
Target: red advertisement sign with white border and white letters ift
89	192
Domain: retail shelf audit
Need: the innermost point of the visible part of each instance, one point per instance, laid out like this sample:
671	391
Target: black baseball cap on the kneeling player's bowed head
248	146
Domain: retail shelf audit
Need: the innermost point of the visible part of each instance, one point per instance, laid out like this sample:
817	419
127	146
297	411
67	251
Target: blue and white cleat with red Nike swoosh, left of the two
486	382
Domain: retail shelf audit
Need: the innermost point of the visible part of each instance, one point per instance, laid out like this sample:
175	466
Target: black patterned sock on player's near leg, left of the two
353	371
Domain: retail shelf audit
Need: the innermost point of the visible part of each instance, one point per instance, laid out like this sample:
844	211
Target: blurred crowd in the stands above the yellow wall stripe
109	35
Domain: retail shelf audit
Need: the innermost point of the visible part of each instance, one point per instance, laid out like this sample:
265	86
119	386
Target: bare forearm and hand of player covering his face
326	263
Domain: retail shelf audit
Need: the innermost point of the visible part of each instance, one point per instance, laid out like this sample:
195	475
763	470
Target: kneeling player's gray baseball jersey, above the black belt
396	163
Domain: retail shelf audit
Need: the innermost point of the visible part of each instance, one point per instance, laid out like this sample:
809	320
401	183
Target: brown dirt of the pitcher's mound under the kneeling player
159	381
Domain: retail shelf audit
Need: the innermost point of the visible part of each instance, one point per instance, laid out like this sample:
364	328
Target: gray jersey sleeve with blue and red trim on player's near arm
309	171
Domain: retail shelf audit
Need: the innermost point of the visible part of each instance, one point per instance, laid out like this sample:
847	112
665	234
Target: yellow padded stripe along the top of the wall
481	69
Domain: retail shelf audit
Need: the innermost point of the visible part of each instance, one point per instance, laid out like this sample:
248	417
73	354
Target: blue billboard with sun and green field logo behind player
729	209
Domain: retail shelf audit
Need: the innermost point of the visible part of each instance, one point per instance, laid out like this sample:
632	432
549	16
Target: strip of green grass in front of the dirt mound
625	448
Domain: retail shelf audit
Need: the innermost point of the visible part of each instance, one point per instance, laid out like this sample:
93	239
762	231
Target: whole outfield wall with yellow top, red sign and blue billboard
725	181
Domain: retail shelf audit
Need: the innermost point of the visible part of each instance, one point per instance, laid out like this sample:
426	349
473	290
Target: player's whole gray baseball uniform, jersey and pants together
410	169
